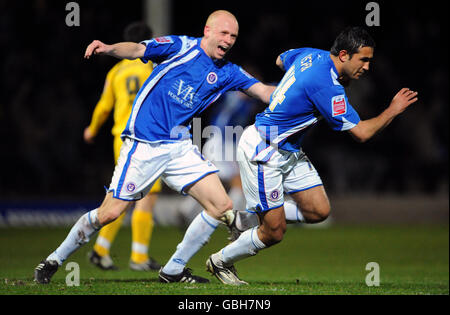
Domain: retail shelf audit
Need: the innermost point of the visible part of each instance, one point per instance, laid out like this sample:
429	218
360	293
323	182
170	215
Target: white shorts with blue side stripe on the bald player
140	164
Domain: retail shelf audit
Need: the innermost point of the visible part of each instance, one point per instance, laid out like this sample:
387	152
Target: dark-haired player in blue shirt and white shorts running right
270	154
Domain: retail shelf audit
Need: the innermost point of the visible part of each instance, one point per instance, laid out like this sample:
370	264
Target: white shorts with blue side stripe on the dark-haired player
267	172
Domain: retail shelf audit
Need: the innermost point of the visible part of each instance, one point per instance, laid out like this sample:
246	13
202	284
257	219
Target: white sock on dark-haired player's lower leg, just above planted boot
248	244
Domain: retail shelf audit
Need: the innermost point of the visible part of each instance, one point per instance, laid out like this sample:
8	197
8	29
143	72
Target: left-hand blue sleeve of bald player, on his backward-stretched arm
161	48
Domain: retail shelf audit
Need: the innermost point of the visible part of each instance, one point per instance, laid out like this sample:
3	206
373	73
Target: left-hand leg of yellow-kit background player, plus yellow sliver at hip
100	255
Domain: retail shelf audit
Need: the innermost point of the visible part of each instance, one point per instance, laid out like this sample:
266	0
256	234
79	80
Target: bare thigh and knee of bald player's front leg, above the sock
211	194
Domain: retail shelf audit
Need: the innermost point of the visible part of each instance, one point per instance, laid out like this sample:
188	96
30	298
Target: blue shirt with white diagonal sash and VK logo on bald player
183	84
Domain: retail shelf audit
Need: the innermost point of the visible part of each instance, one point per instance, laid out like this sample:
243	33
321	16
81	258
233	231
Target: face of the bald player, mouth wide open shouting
220	37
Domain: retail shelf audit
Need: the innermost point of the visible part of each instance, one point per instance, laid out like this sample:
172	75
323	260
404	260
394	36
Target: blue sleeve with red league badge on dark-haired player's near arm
333	105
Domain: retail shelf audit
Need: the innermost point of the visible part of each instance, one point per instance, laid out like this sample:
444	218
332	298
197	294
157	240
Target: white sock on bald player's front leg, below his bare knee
197	235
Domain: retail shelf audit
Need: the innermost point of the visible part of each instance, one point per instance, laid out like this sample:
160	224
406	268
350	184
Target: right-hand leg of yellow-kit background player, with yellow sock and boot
142	224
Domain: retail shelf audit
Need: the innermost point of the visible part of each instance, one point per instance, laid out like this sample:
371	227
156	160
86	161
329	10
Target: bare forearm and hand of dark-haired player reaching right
366	129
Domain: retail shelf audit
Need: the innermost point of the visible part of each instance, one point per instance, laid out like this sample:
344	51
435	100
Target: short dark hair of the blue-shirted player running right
352	39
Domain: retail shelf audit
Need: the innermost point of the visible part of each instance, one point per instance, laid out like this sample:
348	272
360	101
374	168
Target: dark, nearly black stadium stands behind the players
48	91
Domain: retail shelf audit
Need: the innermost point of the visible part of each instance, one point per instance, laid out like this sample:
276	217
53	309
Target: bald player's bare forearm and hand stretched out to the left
124	50
